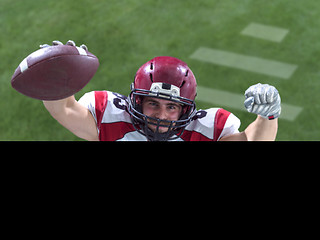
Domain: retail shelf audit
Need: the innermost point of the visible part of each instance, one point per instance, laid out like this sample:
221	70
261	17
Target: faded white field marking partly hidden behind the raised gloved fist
233	100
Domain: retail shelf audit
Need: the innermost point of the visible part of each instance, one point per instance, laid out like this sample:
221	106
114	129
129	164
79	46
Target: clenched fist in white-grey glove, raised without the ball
264	100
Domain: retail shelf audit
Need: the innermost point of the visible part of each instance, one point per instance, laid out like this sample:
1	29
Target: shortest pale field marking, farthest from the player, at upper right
265	32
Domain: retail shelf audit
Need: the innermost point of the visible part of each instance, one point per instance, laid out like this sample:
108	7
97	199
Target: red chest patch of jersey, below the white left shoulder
115	131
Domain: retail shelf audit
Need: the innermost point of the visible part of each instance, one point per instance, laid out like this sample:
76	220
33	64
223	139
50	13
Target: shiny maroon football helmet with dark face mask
166	78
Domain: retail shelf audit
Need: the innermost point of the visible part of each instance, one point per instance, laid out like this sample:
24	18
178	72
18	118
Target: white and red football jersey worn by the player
114	123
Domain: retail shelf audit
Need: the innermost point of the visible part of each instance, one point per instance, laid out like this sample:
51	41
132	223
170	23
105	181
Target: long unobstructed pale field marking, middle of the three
244	62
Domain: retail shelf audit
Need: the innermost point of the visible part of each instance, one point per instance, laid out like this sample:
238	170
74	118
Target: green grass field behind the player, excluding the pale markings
124	34
